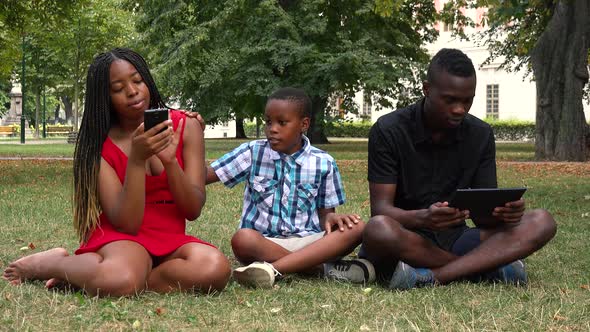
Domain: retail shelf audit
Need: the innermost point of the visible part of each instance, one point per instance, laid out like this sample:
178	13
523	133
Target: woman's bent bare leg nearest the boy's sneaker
193	266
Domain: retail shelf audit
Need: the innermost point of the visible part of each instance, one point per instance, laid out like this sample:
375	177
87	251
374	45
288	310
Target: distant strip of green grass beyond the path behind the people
341	149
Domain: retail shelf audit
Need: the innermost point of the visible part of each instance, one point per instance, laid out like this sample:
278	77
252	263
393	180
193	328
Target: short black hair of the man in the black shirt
452	61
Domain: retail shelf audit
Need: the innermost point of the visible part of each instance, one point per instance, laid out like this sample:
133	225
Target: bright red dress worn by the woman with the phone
163	227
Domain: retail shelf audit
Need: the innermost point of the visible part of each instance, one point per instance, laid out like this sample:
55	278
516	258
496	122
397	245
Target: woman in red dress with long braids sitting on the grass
133	191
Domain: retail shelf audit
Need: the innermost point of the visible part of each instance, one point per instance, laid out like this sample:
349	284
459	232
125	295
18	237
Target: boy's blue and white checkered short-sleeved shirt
282	192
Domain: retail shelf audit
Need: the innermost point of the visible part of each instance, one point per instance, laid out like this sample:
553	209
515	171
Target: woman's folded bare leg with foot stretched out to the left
117	269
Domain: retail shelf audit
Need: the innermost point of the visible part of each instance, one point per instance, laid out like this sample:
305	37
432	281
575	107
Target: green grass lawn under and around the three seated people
35	207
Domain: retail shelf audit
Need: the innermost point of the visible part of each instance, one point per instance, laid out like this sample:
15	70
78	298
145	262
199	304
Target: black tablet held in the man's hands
482	201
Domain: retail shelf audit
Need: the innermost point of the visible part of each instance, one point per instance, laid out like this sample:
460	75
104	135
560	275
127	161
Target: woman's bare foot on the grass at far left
34	267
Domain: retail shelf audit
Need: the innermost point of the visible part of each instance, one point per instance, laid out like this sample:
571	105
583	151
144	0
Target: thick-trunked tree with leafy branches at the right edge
551	38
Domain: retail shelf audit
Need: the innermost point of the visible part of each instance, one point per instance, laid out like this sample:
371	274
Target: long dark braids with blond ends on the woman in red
98	118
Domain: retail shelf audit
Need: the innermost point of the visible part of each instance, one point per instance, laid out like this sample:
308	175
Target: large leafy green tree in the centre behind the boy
222	58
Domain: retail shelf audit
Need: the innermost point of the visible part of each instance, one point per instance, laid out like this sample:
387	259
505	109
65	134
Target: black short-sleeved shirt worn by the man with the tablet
401	152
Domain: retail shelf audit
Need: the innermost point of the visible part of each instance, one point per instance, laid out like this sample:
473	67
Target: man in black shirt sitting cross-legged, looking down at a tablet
418	157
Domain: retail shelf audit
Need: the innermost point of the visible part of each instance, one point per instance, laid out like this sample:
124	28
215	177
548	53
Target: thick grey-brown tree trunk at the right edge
560	66
